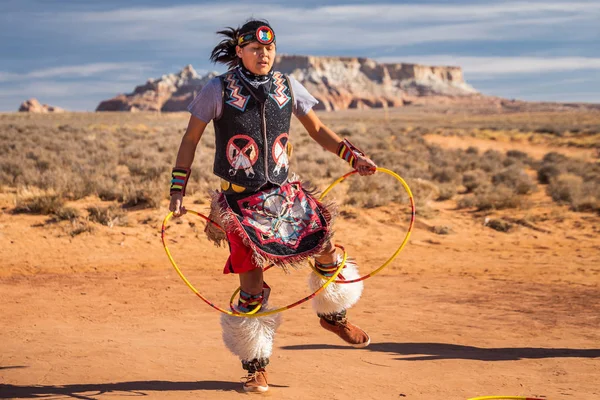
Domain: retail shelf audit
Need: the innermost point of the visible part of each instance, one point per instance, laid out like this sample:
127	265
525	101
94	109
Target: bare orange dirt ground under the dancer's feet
476	312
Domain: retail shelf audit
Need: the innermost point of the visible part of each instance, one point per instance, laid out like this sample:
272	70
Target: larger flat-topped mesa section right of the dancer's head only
344	82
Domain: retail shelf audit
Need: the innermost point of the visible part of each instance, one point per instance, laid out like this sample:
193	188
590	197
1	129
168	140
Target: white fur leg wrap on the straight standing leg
250	338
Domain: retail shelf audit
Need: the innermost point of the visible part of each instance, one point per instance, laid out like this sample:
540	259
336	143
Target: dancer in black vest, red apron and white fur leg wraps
268	217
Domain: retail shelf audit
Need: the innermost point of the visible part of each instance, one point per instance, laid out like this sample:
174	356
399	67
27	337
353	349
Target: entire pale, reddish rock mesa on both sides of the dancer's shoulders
337	82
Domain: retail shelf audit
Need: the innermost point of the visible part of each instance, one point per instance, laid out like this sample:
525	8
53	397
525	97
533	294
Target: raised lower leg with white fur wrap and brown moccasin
332	303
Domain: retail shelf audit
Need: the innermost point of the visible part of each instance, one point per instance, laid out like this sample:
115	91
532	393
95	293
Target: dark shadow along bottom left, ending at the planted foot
91	391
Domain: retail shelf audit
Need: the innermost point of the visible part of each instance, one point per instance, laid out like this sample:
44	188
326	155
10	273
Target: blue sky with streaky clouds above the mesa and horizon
74	53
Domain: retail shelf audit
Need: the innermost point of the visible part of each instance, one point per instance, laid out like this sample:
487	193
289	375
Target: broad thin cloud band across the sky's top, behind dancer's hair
370	25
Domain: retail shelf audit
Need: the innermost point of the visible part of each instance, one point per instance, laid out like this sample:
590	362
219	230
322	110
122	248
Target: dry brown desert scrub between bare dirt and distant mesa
118	162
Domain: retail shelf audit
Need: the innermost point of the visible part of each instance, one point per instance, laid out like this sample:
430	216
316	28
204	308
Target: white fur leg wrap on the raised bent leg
336	297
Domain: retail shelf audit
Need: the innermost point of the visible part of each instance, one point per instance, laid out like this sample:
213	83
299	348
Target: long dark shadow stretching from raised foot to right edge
443	351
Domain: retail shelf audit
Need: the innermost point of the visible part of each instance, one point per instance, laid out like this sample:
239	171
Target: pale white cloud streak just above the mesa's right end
481	67
